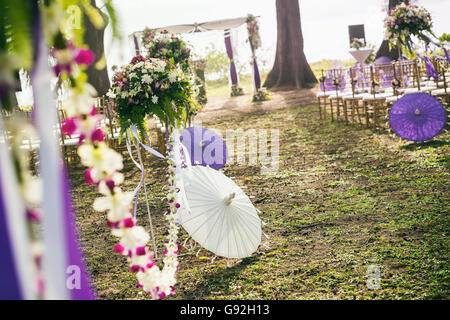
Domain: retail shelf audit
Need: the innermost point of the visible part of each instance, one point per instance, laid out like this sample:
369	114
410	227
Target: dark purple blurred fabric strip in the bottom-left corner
9	280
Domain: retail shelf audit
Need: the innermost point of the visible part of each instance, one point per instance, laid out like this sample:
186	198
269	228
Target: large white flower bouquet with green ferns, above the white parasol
150	87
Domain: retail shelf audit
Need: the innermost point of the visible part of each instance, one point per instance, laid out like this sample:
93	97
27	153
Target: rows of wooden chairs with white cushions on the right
372	89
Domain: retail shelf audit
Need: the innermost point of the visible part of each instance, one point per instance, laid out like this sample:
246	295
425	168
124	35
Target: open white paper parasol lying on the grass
222	218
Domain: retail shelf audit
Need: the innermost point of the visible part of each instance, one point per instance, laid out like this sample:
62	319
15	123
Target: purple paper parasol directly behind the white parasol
205	147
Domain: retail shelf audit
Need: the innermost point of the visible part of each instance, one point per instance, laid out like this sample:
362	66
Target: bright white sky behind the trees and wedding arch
324	24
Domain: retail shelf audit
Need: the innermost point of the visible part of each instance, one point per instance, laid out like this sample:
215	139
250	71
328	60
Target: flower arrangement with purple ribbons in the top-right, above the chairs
406	20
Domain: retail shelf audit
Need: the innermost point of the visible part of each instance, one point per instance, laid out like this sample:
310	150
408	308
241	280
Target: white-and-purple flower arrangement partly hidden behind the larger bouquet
165	46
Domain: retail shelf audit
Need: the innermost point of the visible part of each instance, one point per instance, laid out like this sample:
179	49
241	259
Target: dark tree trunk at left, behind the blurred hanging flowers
94	38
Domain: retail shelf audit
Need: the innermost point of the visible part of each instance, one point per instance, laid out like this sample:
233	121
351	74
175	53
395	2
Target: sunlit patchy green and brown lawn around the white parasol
344	198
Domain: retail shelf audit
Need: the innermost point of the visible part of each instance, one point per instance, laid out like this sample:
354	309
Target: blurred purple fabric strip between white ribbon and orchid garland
74	254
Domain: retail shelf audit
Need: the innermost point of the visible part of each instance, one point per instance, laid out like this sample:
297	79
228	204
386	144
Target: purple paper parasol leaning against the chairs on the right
417	117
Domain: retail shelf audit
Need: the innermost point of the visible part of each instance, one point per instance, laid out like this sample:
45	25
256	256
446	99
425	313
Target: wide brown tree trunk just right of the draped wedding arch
290	69
